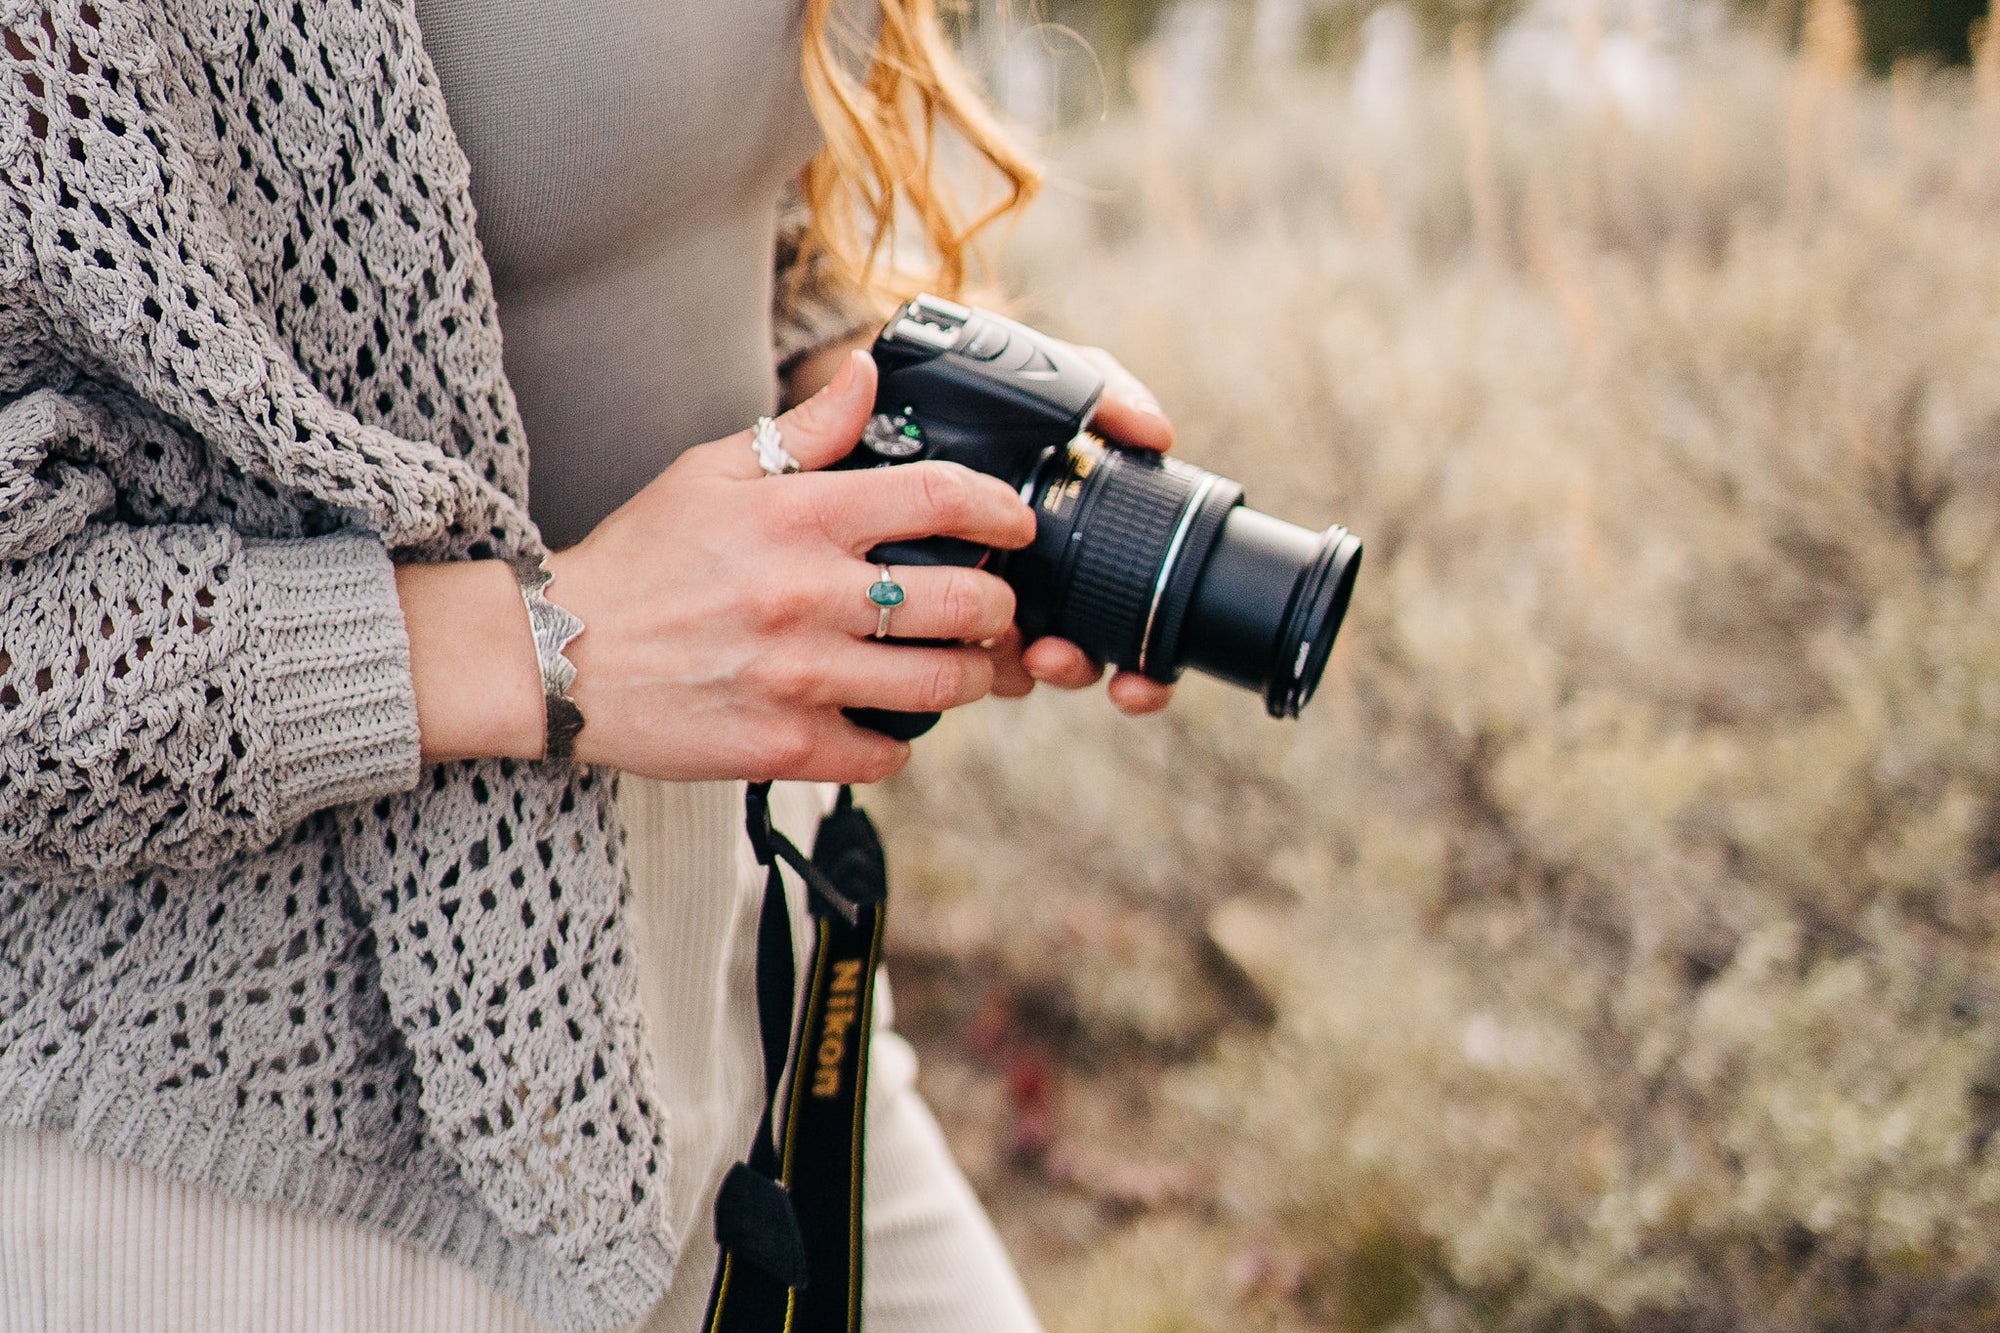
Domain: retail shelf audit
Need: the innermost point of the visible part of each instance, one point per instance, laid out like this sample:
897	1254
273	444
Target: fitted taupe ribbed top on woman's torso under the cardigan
627	165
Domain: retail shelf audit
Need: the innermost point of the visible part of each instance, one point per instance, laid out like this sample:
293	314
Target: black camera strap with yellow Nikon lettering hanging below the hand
789	1218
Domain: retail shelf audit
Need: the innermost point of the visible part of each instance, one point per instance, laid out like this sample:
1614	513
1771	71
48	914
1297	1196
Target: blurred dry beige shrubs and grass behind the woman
1613	944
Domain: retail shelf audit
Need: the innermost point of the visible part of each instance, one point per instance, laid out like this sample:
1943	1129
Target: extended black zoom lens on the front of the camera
1159	565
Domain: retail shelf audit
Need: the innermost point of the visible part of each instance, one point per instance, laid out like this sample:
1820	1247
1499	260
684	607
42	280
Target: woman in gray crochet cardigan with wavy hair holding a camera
323	996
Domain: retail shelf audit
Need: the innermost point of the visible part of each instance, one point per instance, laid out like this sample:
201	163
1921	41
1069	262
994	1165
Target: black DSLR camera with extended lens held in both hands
1143	561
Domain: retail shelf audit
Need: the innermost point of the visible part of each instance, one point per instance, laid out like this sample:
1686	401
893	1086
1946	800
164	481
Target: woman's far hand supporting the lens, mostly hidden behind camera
1127	415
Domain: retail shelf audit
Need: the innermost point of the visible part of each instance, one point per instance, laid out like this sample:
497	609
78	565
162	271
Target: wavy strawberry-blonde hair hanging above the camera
881	167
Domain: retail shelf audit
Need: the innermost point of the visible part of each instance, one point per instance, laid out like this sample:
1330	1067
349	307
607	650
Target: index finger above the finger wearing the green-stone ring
923	499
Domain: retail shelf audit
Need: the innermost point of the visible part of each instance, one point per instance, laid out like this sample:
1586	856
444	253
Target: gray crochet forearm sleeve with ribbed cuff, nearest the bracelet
173	694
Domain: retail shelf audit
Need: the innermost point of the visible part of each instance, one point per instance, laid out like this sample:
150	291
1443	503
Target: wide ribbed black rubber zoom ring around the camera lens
1119	563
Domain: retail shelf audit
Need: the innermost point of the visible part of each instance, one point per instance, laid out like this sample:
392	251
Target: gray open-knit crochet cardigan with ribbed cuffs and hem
247	357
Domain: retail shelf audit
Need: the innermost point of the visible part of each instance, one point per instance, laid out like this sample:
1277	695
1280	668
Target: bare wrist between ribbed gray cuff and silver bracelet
479	688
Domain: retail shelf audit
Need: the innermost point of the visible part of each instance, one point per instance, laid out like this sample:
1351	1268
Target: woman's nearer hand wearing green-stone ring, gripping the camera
727	611
